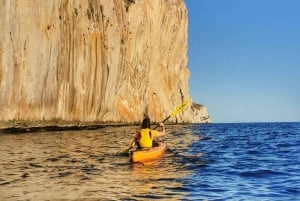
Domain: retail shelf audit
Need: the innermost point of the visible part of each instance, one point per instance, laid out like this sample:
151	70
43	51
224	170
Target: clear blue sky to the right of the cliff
244	59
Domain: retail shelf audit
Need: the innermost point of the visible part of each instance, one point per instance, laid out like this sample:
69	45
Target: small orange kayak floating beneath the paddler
146	155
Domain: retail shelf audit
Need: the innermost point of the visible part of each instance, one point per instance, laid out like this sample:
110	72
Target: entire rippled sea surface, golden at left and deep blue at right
230	161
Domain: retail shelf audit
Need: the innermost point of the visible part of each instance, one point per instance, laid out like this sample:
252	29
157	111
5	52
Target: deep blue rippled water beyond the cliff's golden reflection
253	161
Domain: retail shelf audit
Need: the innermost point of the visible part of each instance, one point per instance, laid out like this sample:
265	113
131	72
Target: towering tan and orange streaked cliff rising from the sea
89	61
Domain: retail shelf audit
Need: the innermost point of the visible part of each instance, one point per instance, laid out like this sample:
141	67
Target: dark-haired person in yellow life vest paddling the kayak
145	137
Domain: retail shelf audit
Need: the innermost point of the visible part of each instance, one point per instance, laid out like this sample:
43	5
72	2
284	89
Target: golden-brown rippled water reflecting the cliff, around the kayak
85	165
